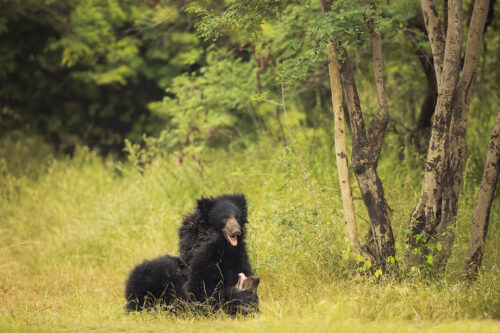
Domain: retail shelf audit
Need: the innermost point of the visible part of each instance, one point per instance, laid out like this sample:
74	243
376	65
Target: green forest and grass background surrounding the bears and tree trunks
116	115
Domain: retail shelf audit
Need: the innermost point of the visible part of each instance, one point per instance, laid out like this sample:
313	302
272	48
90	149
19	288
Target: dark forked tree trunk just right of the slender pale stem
365	153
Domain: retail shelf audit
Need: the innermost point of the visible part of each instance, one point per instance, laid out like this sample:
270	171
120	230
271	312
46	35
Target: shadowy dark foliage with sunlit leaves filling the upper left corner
86	70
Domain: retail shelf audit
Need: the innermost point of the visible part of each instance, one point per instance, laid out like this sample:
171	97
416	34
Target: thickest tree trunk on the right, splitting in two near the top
434	216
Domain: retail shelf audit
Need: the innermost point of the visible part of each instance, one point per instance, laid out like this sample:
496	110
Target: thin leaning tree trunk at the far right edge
479	227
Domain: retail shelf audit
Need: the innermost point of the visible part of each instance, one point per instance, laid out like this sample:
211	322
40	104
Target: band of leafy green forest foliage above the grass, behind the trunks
96	72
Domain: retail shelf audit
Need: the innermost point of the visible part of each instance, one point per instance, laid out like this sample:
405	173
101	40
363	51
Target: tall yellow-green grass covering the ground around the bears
72	228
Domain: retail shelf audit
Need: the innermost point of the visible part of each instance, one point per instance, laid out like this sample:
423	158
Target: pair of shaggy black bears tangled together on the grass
213	268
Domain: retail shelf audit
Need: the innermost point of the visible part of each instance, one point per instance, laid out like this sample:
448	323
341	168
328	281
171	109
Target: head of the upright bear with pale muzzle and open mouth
227	214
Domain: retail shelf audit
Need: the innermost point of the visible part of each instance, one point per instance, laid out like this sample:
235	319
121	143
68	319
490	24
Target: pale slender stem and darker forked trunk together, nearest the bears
381	244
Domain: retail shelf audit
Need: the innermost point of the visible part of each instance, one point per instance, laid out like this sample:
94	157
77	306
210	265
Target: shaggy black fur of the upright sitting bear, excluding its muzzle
213	263
